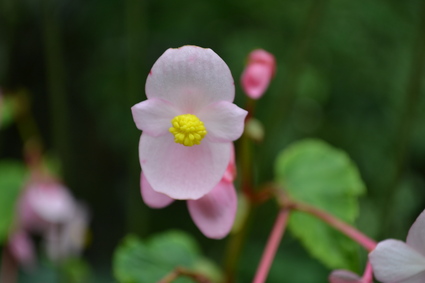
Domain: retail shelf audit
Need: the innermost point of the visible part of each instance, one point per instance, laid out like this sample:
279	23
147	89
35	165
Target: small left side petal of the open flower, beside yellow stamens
154	116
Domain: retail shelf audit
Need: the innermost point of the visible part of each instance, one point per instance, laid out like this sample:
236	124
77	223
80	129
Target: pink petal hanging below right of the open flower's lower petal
215	212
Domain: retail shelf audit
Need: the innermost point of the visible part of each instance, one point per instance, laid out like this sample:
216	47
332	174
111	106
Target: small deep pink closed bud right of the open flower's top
258	73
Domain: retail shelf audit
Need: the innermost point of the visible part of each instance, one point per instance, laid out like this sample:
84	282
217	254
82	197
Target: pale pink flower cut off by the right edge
394	261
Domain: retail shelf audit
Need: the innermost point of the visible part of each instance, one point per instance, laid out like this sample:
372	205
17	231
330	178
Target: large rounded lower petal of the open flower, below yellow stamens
179	171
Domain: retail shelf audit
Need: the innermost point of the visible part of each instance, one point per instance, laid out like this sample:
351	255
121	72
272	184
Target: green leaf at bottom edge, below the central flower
138	261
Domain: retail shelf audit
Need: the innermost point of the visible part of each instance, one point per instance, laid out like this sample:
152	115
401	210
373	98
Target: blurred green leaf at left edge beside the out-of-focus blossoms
12	177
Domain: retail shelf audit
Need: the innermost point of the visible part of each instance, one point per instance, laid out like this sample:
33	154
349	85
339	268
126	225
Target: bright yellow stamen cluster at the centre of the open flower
187	129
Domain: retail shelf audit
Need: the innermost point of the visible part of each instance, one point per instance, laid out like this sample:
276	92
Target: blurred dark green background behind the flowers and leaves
349	72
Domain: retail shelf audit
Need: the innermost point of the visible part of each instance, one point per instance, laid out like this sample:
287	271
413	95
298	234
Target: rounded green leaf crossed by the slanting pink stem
315	173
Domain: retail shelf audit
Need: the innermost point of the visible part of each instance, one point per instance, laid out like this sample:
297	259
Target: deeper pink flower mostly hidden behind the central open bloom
214	213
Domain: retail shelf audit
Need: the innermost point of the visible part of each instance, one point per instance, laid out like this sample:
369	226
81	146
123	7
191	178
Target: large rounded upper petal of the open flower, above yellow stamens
190	77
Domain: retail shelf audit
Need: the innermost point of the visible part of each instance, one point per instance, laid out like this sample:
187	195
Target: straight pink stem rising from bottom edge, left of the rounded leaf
272	245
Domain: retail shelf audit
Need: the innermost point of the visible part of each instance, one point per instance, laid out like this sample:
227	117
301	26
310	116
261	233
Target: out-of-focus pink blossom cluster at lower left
48	209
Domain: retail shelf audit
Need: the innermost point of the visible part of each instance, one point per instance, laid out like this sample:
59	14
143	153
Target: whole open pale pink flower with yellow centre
188	122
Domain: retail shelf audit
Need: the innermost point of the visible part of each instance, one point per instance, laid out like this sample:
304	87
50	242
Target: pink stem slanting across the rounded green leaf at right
339	225
